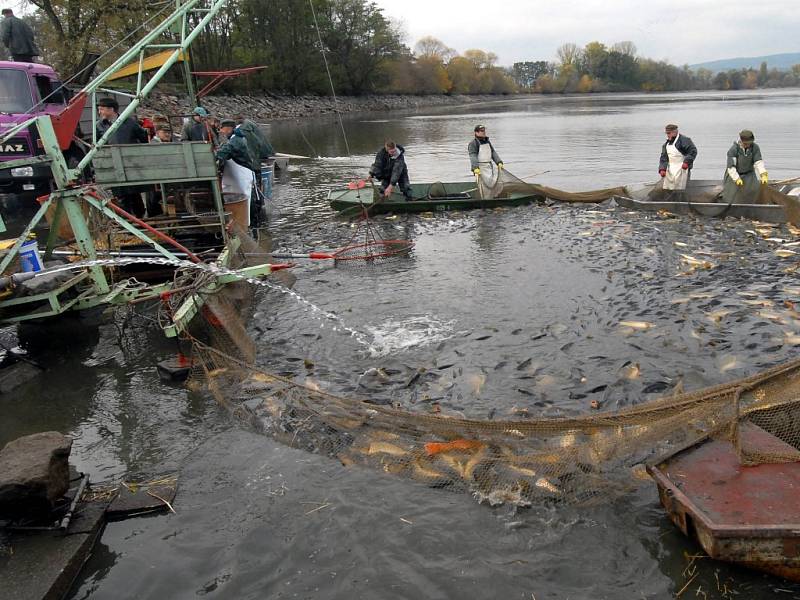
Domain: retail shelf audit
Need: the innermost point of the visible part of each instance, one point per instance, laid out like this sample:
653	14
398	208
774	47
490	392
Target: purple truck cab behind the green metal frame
26	90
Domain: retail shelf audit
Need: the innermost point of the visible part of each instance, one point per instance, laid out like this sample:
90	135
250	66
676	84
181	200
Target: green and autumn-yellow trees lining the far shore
365	52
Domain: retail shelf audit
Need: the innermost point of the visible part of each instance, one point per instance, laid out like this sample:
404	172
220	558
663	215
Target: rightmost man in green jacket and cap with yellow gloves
745	172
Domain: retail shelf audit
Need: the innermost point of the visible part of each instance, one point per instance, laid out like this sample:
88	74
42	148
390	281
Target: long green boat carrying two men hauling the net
427	197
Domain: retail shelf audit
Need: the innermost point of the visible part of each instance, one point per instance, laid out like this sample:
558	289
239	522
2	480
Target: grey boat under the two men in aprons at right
704	198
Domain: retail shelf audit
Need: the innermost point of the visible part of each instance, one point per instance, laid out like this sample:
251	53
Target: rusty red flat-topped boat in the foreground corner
749	515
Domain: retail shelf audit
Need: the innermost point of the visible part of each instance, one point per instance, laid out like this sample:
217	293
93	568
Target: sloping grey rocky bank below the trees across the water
266	107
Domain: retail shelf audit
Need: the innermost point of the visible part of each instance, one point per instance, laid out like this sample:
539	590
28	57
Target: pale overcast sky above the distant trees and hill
680	31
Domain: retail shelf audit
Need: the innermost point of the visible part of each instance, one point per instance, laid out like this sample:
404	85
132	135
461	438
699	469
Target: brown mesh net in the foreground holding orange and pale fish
578	460
